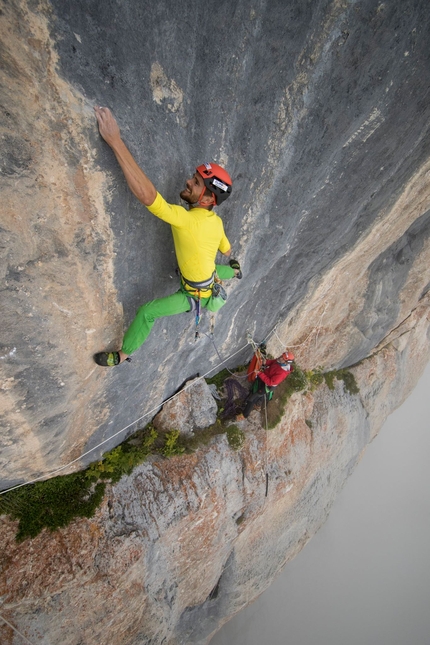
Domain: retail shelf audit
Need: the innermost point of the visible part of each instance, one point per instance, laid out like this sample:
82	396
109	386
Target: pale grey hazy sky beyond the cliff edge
364	579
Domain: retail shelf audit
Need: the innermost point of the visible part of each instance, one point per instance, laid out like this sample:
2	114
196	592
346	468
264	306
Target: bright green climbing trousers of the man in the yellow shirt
177	303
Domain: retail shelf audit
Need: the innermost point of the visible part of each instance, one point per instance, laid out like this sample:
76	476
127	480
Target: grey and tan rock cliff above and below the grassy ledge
321	114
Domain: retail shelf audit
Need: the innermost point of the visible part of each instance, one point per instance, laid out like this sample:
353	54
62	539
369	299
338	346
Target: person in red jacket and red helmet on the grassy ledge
272	373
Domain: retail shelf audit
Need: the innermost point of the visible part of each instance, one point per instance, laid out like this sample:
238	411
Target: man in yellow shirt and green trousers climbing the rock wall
197	236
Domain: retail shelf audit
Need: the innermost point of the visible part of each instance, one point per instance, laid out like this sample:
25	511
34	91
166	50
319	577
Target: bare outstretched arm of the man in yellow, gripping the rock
138	182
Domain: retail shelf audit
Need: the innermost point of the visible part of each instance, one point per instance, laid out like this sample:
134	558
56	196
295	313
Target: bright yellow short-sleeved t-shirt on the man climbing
197	235
